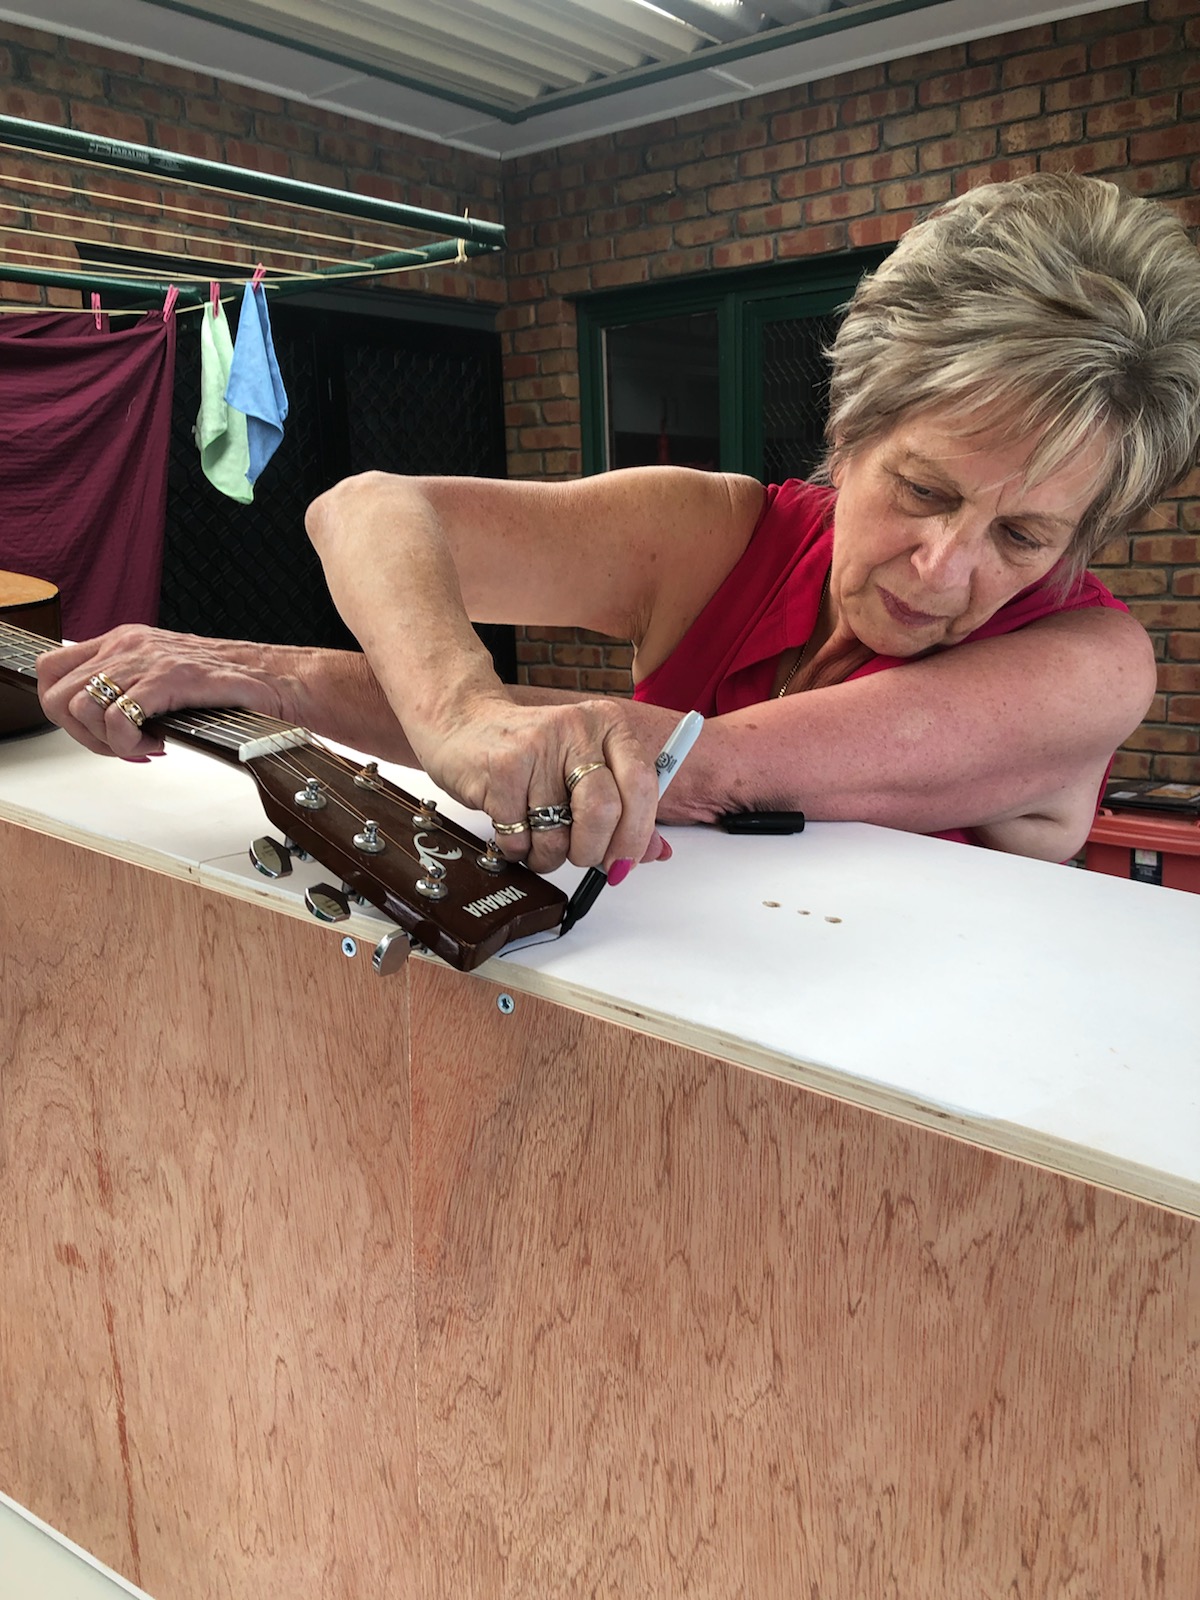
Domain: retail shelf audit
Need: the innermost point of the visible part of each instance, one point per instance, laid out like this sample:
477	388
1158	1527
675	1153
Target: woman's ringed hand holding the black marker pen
506	761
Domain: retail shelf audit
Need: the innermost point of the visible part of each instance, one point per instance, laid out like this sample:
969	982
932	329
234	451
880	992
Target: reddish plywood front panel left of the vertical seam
207	1350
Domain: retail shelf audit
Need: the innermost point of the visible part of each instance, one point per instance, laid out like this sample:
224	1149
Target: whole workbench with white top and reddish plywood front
820	1220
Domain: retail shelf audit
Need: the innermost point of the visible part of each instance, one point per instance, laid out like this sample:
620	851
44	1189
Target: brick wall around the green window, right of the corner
844	164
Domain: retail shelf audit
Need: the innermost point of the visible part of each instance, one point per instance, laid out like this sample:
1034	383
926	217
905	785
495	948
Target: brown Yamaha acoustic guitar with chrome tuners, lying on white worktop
446	889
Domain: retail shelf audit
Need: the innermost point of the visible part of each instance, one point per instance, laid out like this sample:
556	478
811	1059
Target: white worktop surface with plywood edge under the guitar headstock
1034	1009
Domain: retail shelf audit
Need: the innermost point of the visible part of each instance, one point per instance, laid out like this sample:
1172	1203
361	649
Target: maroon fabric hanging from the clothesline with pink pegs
86	426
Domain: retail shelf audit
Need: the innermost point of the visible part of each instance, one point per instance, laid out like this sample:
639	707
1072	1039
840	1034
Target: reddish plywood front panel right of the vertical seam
690	1330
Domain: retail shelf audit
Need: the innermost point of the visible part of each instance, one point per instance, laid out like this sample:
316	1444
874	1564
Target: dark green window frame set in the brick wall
745	306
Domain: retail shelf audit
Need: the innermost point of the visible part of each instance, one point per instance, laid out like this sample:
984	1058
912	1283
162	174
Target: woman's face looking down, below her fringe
935	530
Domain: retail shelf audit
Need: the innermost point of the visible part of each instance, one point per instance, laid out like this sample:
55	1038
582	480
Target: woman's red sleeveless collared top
769	604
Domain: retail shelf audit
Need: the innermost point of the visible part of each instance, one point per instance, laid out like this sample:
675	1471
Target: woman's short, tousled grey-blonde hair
1055	306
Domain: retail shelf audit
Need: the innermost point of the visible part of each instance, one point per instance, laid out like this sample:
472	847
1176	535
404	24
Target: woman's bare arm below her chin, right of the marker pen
1010	737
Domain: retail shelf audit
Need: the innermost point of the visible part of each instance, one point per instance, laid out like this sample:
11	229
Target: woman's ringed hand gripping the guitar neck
158	673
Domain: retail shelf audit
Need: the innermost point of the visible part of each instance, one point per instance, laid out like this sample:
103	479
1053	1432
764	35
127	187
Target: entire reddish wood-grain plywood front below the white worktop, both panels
321	1286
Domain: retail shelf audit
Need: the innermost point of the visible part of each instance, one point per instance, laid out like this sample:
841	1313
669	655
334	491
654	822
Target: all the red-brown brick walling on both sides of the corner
820	169
